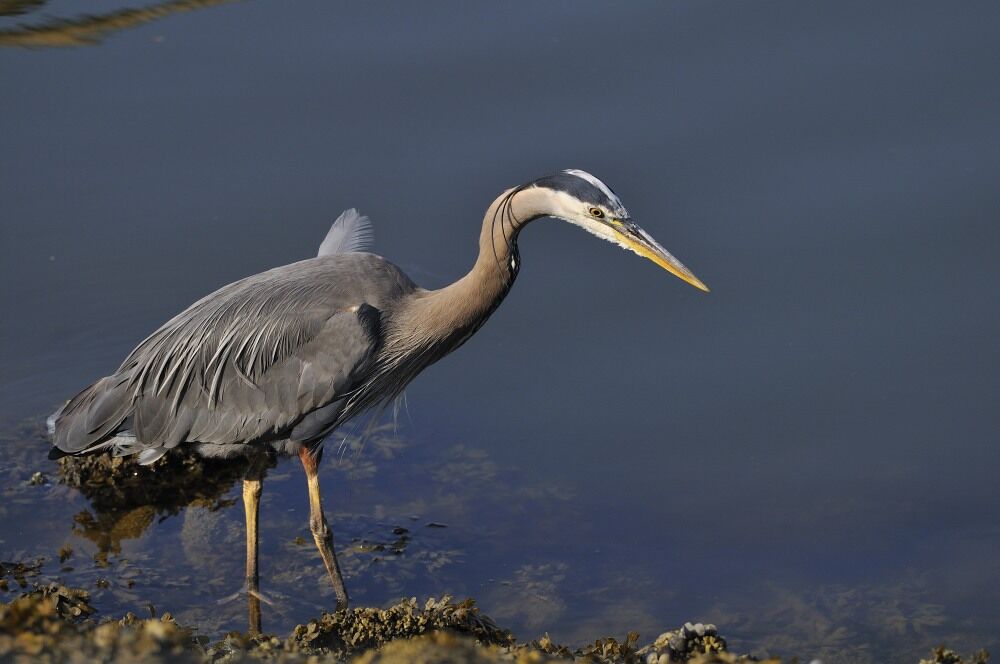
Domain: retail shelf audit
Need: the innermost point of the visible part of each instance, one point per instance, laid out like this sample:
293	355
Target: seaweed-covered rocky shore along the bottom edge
52	623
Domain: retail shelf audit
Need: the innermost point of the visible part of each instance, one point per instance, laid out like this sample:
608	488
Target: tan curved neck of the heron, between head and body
459	309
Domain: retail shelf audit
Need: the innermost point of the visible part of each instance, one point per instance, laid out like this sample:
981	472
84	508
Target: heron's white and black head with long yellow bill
580	198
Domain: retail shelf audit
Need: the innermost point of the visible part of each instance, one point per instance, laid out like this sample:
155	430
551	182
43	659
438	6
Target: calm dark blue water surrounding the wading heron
807	456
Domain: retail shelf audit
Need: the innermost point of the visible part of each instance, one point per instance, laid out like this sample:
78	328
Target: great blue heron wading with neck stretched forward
280	359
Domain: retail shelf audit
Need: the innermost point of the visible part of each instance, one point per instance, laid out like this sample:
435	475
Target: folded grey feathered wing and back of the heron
249	362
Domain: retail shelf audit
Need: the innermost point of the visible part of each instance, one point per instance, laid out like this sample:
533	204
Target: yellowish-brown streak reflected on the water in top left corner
90	29
